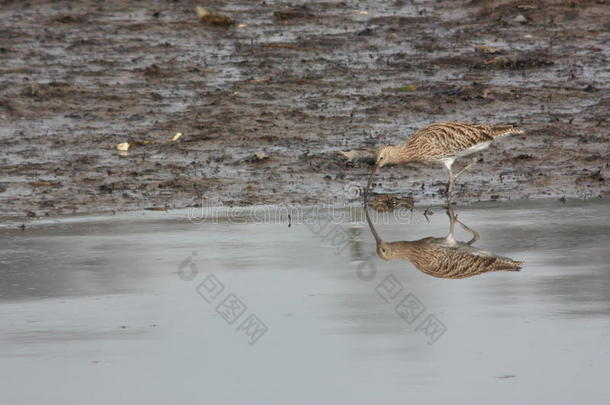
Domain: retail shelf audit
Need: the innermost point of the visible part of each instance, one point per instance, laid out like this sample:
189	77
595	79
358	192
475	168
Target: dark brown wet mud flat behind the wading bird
266	105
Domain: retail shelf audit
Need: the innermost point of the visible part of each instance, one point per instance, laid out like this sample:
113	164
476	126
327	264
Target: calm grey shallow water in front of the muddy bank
107	310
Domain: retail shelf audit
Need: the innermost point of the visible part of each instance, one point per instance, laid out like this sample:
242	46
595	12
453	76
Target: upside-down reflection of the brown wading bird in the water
444	257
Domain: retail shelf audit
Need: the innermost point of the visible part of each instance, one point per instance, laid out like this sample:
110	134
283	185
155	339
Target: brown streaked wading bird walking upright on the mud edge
443	142
